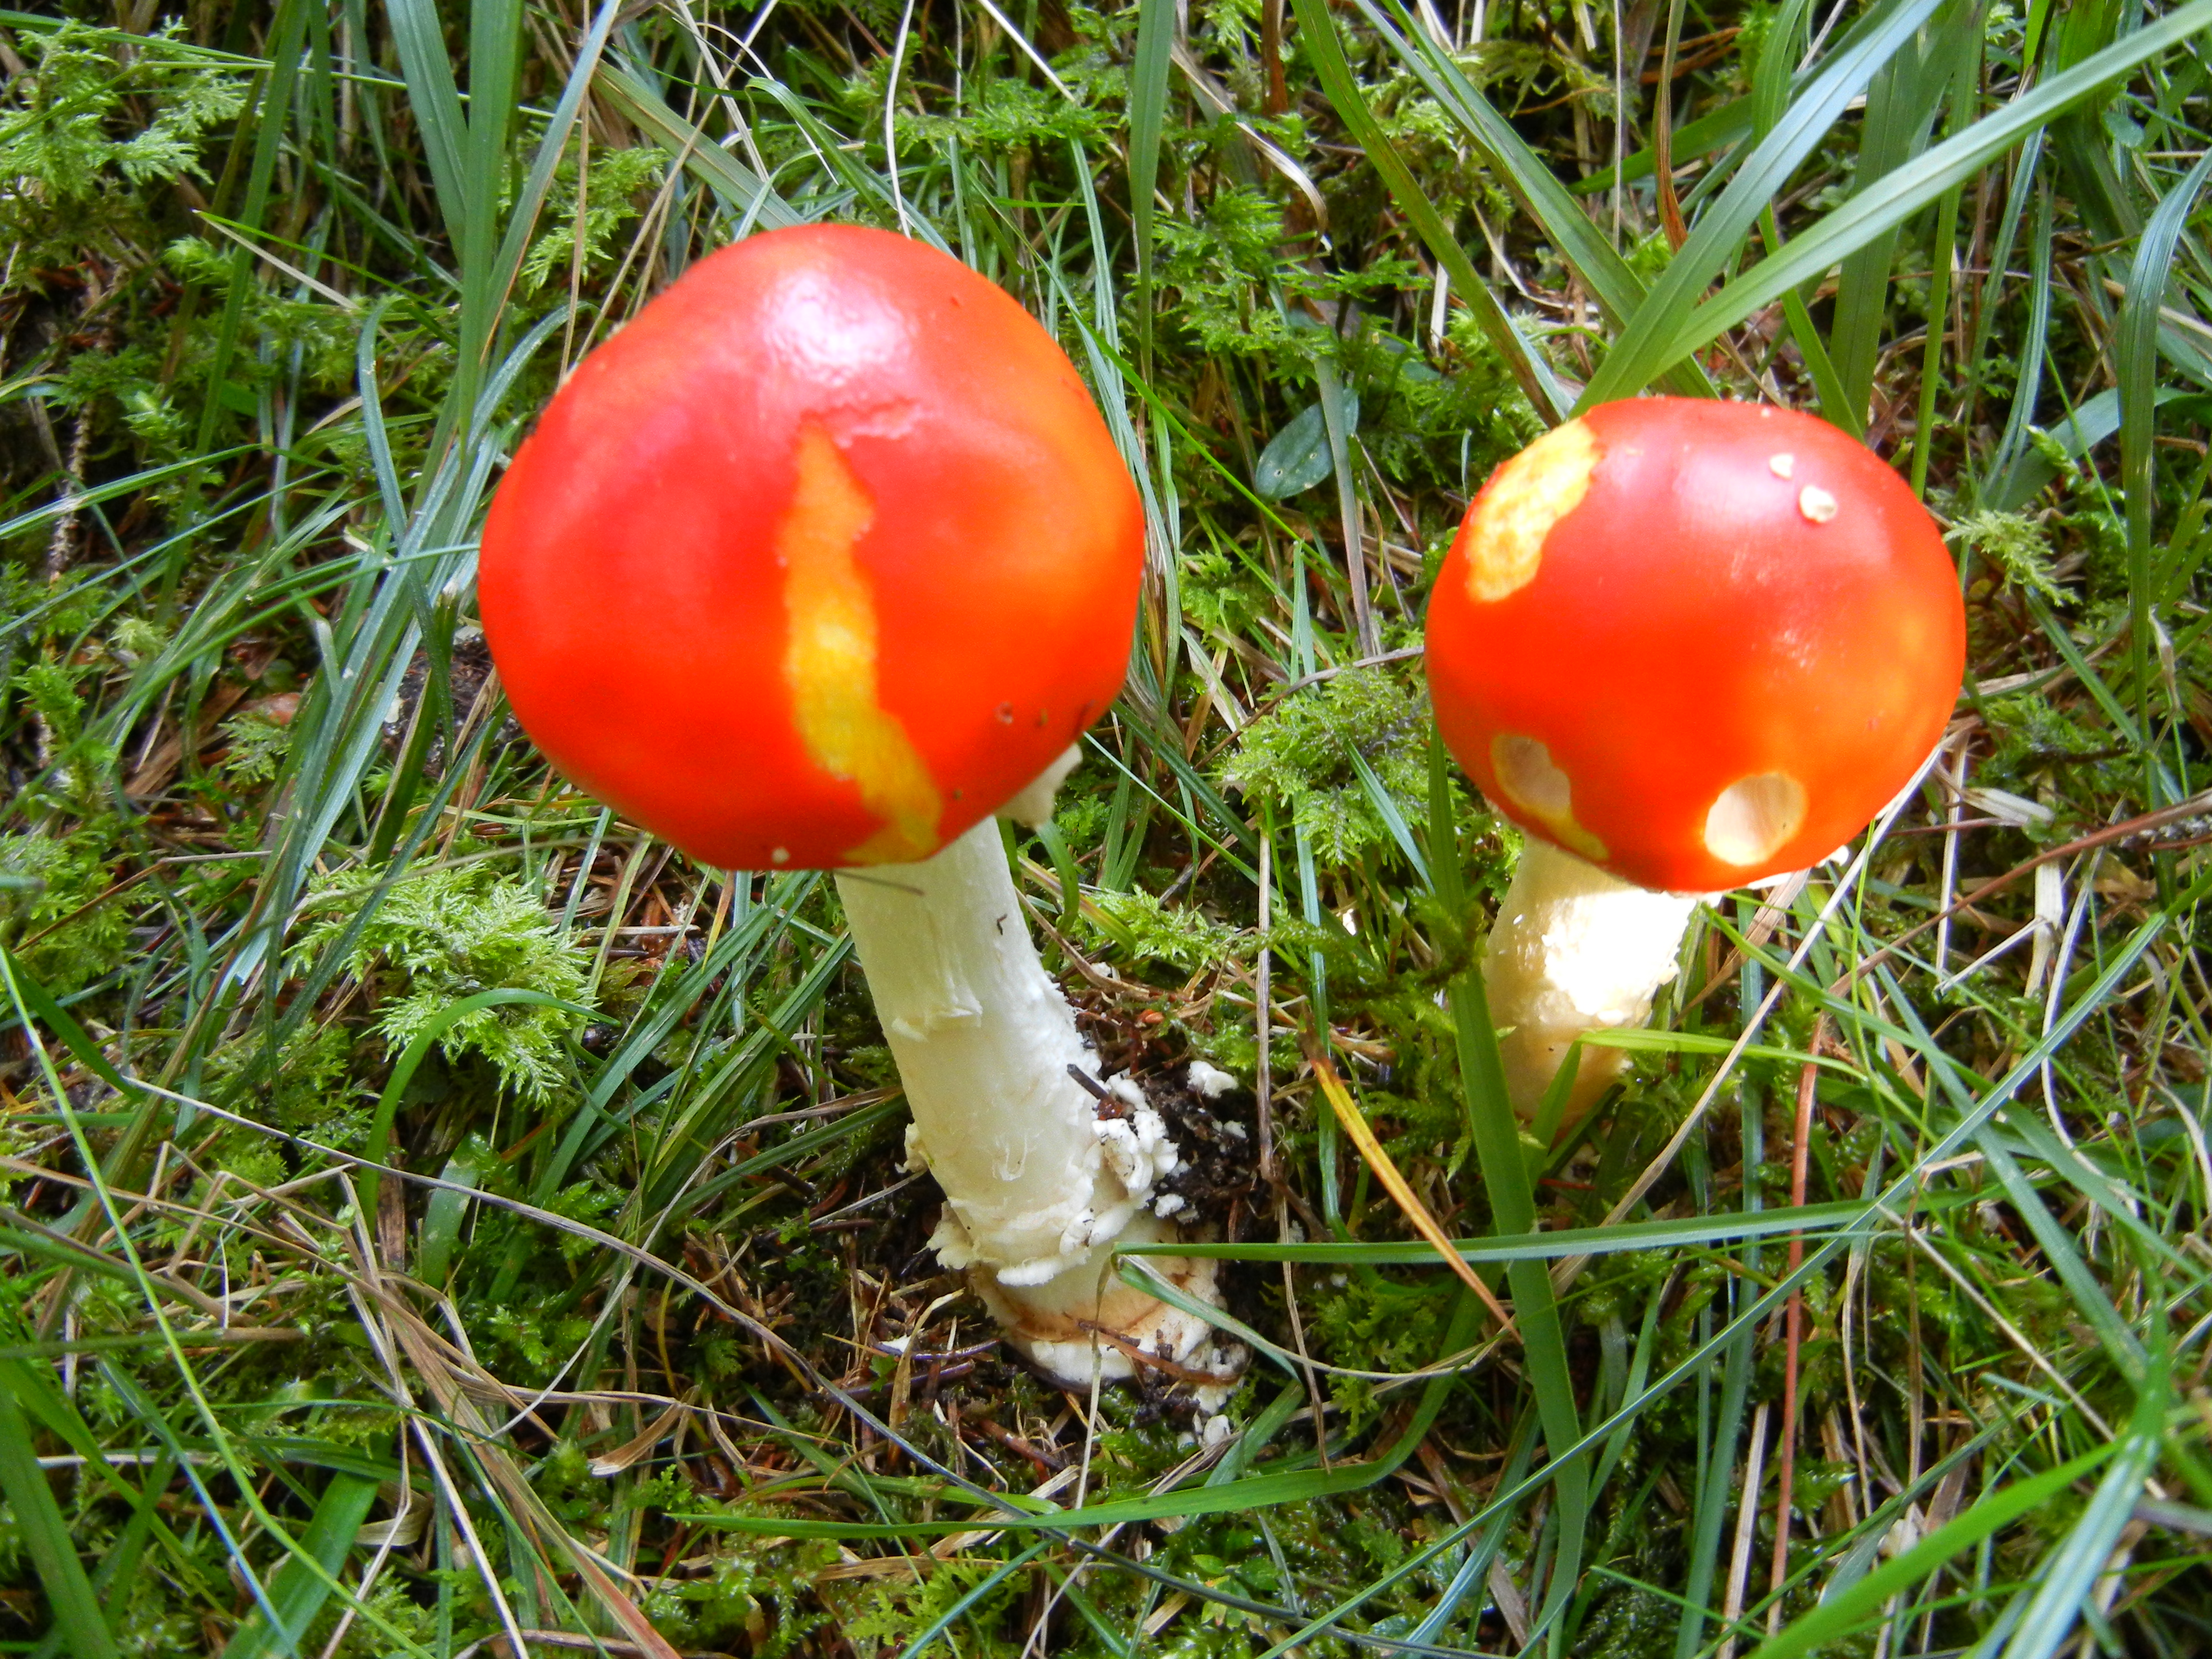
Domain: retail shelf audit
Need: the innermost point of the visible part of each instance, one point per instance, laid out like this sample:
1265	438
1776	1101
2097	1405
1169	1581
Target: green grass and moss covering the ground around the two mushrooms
437	1213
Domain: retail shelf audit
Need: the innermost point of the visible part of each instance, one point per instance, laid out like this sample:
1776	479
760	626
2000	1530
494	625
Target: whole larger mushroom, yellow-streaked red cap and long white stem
817	565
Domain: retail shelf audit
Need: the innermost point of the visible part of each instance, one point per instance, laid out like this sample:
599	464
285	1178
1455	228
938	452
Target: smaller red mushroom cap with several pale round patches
1695	643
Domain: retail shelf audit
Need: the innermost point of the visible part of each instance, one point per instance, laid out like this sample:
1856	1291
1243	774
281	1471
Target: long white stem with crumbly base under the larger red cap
1041	1180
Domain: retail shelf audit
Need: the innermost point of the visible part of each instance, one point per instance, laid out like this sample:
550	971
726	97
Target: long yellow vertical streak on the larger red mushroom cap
831	658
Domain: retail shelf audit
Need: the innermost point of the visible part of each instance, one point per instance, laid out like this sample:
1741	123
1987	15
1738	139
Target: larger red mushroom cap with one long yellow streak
820	561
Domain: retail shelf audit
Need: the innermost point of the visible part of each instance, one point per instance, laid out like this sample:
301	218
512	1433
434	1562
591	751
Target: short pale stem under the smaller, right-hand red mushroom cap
1574	950
